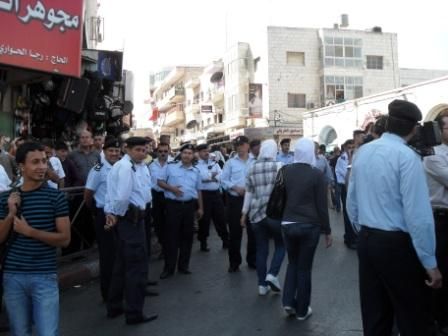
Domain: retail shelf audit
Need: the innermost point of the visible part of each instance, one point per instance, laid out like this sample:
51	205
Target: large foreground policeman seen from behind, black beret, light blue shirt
388	197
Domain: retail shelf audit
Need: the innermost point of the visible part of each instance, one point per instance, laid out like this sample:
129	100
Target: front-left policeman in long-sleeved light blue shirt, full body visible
128	192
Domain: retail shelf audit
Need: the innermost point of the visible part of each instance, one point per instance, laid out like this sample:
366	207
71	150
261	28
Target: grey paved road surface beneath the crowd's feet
214	302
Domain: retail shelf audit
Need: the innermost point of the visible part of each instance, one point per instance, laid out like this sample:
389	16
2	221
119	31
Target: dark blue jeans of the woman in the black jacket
301	241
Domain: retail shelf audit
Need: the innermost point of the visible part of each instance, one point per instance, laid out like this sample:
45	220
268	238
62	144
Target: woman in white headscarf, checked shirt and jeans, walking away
259	184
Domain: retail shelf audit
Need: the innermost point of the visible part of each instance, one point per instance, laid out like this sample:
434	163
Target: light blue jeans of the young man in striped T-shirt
32	299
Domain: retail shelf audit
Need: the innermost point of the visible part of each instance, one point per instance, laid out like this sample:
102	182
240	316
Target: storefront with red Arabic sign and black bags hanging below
49	86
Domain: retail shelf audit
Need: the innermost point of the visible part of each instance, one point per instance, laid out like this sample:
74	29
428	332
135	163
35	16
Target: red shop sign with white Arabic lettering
43	35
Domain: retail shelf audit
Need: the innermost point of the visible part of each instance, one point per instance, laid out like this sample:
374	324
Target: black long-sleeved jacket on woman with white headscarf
306	196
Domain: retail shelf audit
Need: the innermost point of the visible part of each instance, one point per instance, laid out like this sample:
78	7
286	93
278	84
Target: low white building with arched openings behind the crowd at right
332	125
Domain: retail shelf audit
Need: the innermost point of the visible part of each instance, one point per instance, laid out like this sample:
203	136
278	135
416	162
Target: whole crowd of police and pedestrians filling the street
134	188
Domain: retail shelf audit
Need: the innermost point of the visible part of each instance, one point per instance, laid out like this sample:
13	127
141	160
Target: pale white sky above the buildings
154	34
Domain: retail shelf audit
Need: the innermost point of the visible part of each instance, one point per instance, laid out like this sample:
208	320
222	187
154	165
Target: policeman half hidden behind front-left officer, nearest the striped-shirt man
96	188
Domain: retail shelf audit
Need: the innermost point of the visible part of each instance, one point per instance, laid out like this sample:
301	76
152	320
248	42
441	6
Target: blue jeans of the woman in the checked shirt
264	230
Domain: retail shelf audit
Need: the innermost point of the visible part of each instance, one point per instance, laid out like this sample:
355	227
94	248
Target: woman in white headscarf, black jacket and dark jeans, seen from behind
305	216
